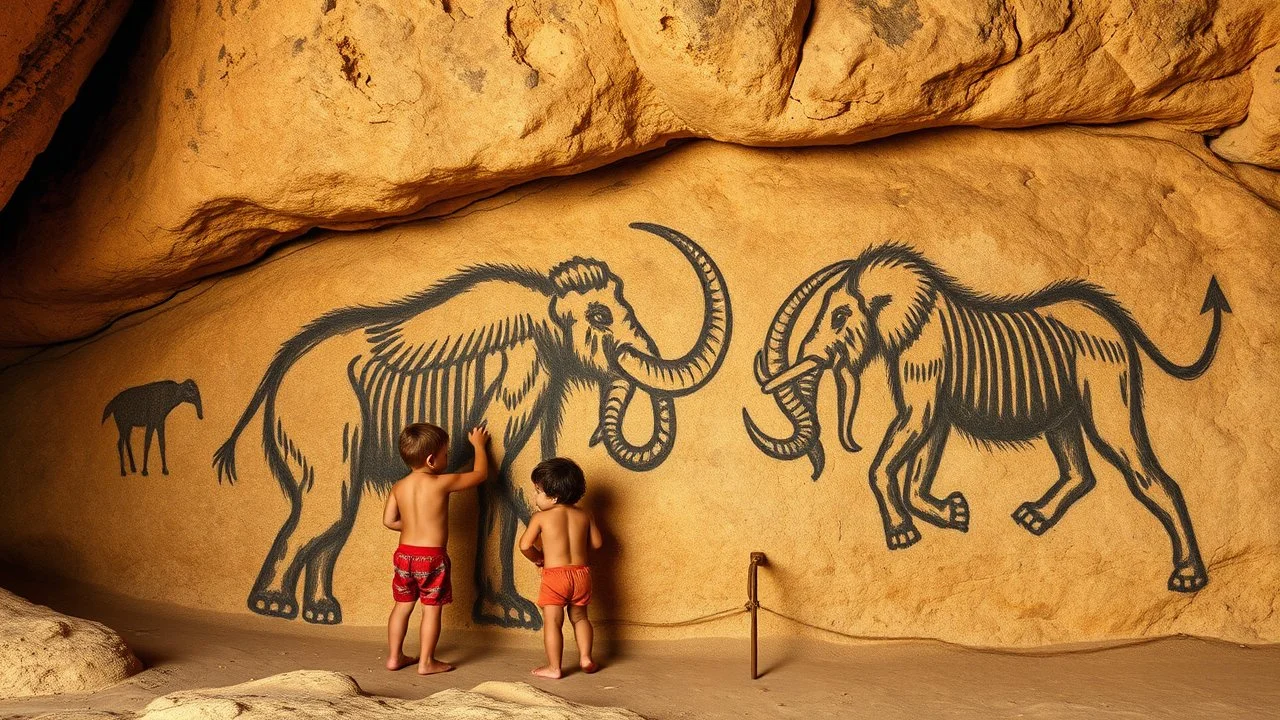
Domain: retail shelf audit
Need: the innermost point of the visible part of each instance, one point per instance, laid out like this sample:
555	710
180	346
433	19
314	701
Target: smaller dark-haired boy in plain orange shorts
566	532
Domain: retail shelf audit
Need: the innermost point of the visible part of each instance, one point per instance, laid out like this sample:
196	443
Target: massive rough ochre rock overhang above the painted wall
249	124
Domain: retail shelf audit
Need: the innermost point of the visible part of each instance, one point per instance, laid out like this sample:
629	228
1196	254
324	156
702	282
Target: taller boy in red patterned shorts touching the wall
419	508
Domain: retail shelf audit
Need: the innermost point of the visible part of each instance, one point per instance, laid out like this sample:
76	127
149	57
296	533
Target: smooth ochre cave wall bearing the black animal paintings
1146	213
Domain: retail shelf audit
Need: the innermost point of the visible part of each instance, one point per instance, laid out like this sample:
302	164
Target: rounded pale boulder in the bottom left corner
45	653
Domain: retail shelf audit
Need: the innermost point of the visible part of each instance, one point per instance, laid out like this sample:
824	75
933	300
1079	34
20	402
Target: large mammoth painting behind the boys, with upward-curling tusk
496	344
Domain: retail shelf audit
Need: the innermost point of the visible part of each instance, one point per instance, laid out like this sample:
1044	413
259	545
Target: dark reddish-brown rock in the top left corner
47	51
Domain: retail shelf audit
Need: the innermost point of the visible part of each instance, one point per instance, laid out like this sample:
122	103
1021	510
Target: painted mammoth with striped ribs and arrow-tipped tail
1062	363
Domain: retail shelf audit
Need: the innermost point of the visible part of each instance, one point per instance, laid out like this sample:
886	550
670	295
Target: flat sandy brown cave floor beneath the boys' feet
694	678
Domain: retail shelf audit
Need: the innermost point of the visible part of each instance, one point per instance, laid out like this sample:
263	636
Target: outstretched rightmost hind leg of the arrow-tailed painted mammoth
1119	434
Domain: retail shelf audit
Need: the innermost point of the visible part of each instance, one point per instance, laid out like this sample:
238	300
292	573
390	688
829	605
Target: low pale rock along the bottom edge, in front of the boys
322	695
